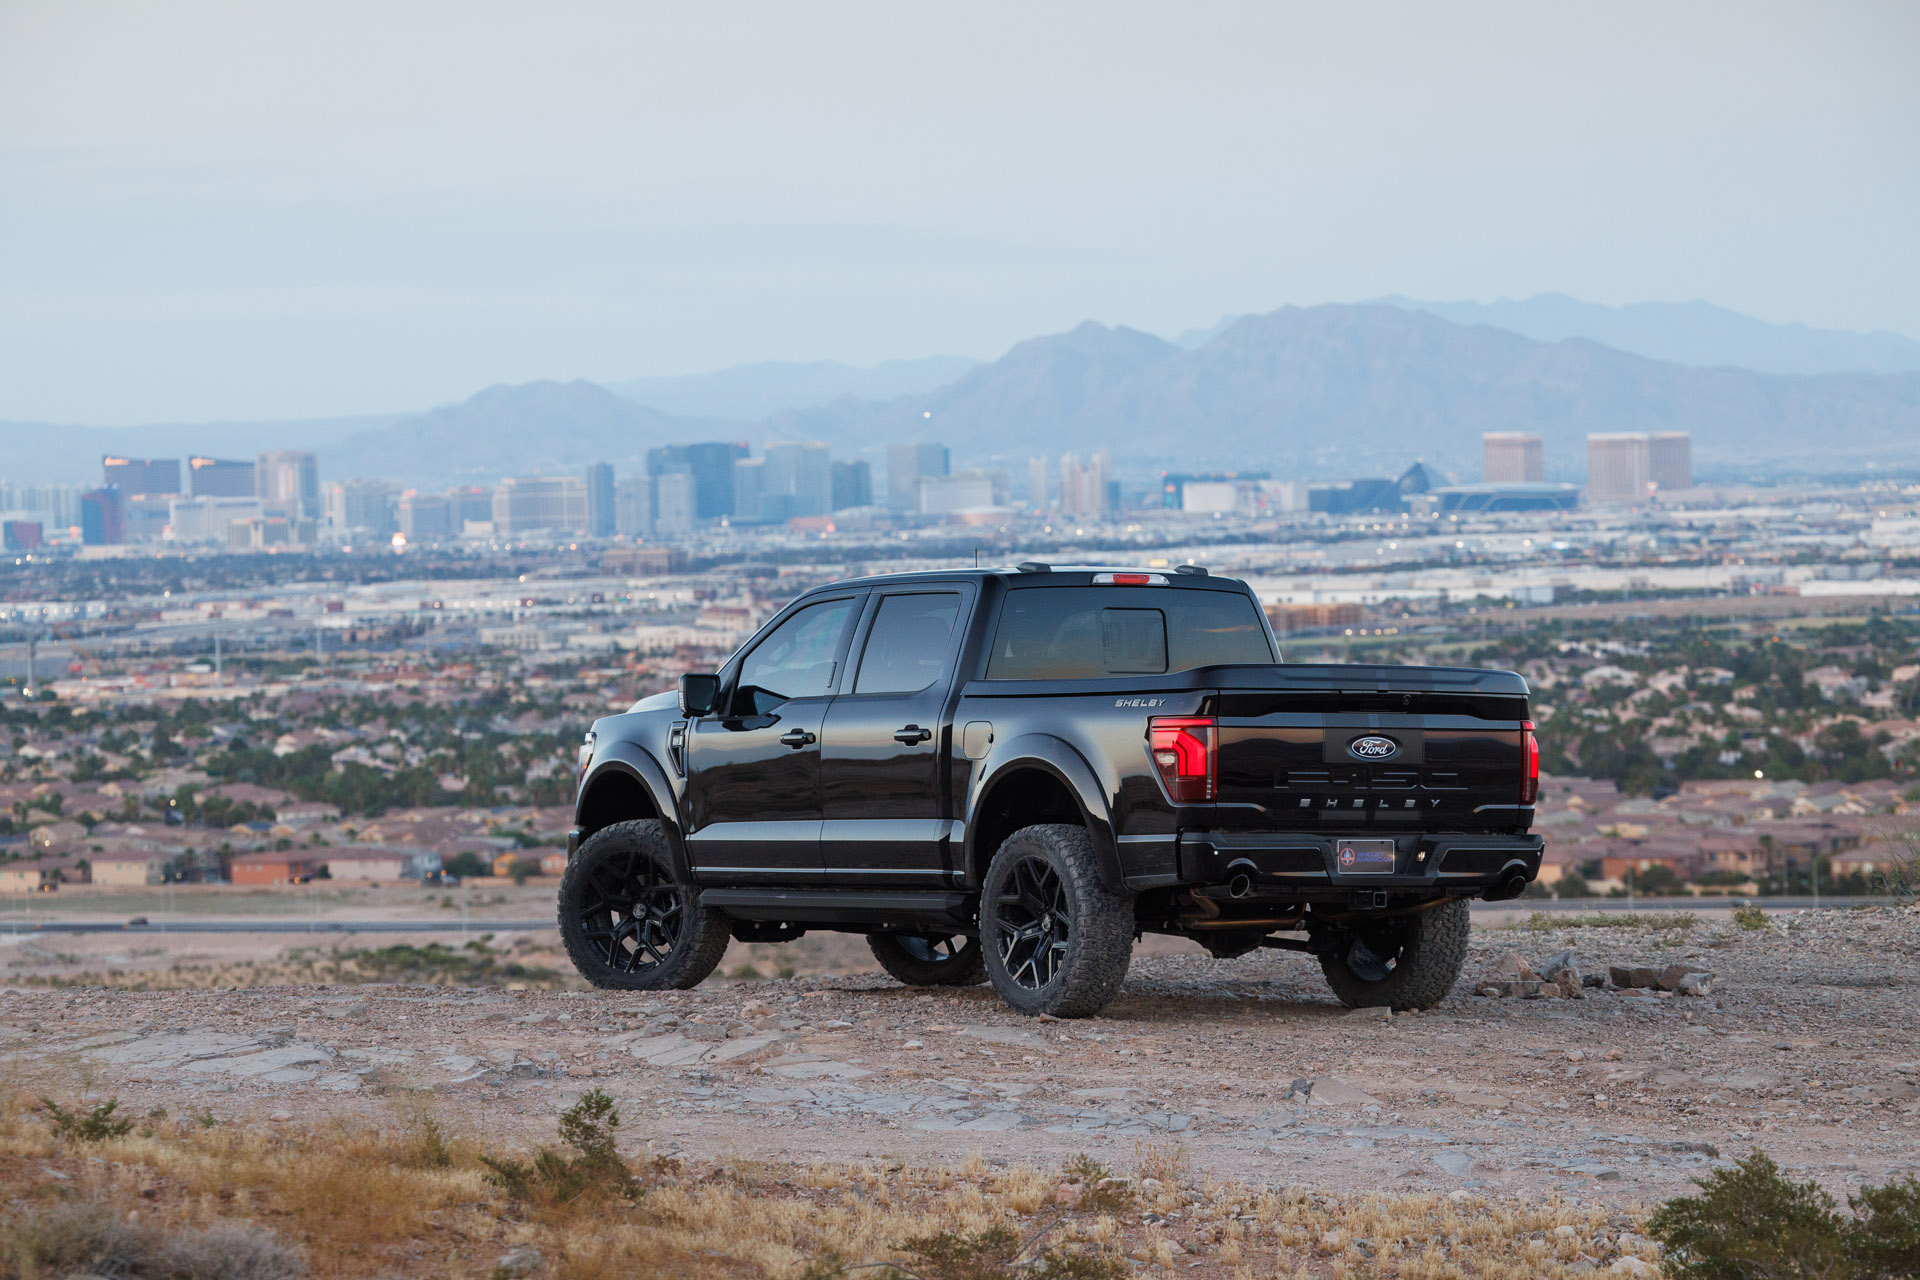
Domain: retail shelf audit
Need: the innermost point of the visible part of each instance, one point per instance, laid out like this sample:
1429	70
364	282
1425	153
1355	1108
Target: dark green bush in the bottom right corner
1750	1223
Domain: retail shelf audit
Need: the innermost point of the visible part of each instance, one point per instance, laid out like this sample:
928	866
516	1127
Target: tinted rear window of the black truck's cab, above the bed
1090	632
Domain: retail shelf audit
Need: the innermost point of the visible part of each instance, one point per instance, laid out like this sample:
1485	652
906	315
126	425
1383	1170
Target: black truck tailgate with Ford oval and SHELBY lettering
1372	749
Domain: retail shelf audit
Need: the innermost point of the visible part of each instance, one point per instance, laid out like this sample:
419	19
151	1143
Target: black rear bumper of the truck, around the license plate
1266	865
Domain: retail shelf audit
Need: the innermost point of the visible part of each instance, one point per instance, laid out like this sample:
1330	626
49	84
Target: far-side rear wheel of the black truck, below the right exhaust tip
1404	962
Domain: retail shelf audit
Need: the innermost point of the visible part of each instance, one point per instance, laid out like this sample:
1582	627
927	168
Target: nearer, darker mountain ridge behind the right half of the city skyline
1356	389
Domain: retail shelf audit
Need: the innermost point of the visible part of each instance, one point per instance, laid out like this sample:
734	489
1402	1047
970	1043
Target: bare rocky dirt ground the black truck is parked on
1806	1047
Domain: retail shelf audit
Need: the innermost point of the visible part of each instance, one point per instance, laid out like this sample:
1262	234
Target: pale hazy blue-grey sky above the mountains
243	210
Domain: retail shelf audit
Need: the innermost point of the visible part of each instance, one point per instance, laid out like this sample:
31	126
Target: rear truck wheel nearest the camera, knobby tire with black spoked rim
1084	974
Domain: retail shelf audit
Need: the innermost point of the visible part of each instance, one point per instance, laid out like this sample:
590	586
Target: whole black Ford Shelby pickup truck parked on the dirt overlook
1013	774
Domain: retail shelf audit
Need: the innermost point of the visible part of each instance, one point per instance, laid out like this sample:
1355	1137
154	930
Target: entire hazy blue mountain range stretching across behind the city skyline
1330	391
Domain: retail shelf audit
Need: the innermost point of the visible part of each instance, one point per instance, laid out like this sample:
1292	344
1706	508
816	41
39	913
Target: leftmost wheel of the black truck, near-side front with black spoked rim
623	951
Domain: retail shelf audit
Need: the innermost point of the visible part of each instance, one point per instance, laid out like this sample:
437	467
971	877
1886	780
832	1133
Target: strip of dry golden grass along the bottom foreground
416	1200
